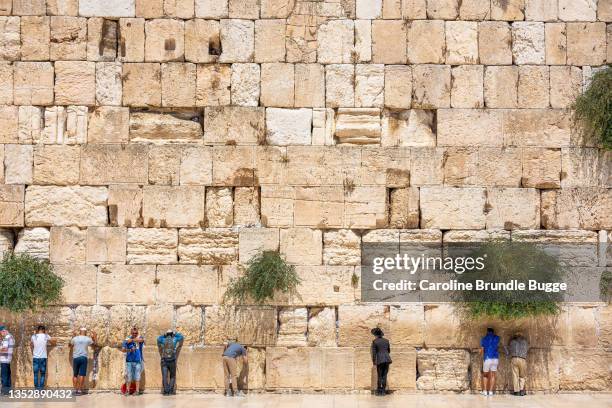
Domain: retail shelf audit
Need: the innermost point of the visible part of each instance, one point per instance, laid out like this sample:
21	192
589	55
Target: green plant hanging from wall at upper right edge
593	108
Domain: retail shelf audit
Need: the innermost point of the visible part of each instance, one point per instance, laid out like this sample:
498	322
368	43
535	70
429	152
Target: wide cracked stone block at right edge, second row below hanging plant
583	208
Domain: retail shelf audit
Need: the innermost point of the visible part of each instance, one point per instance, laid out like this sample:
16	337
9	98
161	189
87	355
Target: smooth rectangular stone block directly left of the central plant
187	284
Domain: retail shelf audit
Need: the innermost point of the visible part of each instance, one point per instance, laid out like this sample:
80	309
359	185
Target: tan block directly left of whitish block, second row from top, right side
494	43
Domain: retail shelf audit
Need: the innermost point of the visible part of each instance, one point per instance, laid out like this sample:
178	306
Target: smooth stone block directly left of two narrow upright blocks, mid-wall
176	206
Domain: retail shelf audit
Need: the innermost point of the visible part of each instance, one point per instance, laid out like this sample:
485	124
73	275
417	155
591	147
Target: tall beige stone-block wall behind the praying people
152	147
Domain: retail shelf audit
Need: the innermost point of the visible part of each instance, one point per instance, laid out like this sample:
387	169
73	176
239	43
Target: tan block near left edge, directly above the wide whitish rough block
56	165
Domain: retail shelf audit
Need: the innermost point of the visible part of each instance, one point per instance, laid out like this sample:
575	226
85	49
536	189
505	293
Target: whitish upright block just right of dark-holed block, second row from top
237	40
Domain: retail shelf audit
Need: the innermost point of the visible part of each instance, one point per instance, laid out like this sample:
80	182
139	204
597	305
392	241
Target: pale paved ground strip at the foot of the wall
108	400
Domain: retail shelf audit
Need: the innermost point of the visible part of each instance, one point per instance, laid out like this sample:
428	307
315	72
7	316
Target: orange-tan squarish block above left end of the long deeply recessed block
141	84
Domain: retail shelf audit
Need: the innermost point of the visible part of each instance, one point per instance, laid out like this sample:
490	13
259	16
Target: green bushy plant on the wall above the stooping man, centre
266	274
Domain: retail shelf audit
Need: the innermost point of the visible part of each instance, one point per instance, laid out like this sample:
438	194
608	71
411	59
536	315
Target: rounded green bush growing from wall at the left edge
28	283
